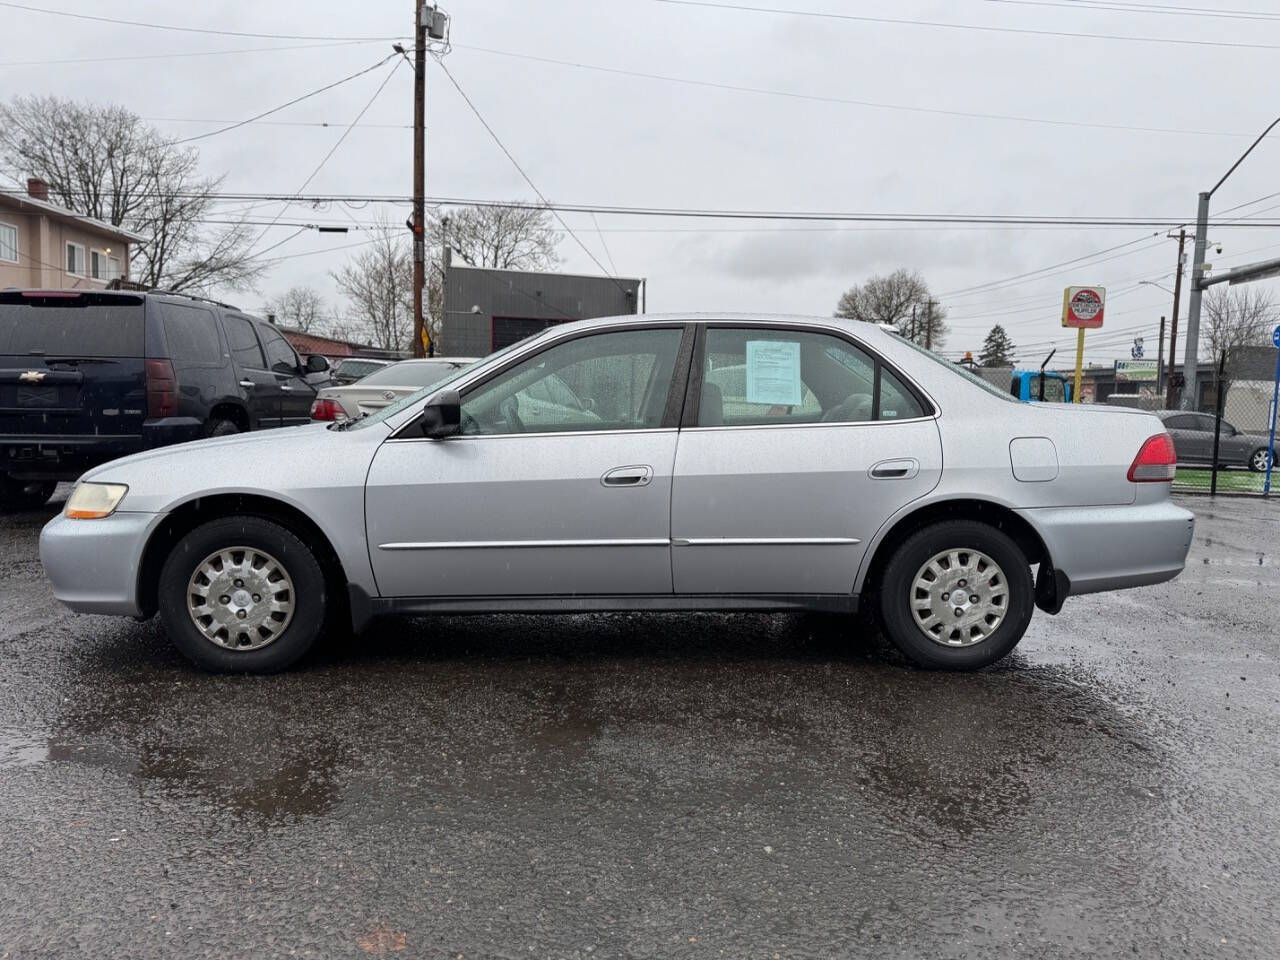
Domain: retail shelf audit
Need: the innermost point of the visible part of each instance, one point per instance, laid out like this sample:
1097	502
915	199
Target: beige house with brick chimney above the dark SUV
45	246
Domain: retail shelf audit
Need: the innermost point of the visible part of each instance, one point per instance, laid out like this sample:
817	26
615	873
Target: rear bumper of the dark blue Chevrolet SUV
66	458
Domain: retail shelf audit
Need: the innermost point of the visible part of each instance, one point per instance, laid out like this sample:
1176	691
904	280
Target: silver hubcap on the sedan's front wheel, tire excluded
241	598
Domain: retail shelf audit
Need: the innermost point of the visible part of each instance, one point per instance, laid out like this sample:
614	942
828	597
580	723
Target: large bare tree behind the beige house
104	162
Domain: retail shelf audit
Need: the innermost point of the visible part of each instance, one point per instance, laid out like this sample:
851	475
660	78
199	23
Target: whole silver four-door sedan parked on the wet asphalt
927	506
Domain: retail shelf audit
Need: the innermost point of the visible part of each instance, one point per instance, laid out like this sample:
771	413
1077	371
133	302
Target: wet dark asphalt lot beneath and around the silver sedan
655	787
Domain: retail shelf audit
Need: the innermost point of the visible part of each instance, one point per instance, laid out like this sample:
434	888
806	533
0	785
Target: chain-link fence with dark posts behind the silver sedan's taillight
1223	442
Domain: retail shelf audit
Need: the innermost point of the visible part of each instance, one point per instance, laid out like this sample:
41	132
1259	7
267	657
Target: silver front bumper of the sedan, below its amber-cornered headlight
94	564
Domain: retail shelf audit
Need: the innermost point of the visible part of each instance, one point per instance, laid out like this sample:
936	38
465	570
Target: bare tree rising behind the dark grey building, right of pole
501	237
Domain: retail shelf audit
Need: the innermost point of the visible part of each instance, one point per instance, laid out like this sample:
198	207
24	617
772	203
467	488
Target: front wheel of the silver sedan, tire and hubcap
244	596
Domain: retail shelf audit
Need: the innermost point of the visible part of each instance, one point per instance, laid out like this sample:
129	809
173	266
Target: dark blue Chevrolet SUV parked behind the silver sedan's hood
88	377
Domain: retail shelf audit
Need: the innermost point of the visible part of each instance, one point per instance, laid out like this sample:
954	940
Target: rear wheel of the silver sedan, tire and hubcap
957	596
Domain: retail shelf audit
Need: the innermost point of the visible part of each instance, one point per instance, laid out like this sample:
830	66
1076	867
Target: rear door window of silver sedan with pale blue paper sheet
761	377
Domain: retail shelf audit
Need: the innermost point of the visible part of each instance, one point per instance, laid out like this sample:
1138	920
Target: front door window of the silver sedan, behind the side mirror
602	382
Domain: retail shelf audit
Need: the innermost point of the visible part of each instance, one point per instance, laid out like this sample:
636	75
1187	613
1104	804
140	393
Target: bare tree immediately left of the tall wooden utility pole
378	284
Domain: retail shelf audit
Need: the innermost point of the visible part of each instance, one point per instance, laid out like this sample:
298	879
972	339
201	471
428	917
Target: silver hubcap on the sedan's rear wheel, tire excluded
959	598
